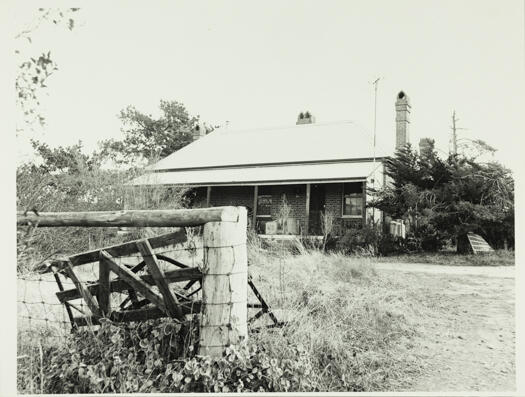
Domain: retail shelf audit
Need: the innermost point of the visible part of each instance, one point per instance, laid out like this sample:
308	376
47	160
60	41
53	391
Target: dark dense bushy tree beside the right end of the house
446	199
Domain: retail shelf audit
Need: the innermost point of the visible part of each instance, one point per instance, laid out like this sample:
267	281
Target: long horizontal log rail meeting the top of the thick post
130	218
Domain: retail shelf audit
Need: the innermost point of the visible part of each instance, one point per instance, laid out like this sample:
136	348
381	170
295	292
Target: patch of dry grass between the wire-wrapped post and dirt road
356	324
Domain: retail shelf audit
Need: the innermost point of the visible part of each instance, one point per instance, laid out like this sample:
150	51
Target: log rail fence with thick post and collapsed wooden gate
222	280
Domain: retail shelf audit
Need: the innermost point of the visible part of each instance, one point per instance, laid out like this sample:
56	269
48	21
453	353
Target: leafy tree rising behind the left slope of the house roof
148	138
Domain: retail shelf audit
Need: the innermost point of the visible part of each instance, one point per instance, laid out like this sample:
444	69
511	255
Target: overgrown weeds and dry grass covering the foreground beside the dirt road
347	329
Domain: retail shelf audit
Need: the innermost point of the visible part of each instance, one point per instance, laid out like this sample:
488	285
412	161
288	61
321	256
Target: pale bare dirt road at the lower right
468	343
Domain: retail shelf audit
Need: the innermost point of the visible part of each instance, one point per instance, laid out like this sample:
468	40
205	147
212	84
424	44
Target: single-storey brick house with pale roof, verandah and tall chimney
315	168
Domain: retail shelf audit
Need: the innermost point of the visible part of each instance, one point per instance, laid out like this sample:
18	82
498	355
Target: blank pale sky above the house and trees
260	65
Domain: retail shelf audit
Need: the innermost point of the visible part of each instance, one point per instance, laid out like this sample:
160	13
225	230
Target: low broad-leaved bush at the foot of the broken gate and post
159	356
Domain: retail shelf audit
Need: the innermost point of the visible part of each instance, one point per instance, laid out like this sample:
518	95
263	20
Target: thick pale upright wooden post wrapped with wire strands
224	285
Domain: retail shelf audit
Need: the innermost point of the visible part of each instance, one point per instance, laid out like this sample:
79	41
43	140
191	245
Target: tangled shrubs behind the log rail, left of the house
66	179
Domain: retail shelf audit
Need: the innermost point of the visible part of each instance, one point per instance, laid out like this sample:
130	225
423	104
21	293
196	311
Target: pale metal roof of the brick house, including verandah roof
307	152
